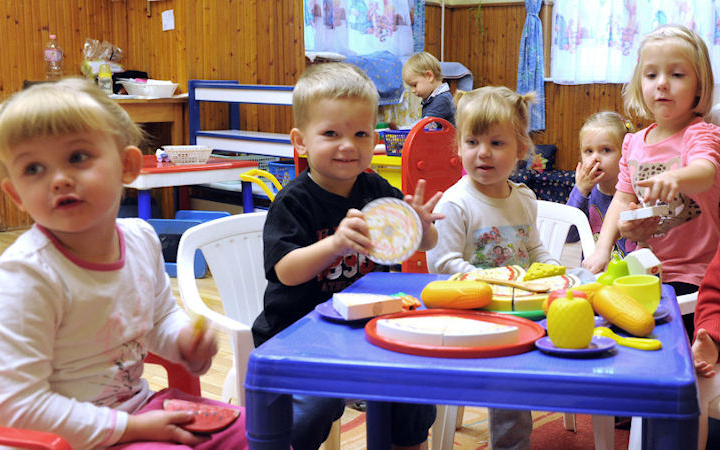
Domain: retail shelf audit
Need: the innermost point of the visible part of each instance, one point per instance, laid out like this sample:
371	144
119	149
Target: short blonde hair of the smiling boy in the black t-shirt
329	81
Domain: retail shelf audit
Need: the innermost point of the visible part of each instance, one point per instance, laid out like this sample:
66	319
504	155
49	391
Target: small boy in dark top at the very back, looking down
423	74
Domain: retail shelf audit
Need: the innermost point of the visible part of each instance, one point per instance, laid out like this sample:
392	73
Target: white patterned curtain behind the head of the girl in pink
597	41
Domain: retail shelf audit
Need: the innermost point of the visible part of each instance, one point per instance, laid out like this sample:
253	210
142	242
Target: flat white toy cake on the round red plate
444	331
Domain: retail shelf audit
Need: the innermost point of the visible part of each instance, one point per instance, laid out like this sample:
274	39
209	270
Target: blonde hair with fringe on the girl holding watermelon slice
72	105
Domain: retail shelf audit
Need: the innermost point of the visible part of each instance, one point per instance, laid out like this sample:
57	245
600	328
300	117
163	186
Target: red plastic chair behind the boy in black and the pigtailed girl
430	155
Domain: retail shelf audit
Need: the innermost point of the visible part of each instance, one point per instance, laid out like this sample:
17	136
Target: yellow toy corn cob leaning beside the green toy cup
623	311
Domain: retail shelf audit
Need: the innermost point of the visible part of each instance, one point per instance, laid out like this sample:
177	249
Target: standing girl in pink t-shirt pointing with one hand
674	160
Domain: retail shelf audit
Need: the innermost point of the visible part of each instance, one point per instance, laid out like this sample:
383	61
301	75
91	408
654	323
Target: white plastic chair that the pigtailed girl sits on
553	222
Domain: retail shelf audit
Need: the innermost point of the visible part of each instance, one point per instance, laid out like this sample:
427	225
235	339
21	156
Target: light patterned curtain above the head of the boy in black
360	27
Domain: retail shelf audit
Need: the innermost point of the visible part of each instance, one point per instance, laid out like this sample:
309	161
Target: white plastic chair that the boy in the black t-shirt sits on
233	249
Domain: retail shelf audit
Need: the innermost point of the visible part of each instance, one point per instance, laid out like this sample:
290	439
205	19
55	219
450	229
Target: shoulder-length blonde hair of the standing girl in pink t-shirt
695	50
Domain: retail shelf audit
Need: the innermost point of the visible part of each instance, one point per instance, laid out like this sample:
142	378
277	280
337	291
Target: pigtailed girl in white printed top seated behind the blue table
485	210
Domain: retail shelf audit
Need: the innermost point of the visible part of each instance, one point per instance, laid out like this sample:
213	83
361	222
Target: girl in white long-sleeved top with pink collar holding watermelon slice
85	295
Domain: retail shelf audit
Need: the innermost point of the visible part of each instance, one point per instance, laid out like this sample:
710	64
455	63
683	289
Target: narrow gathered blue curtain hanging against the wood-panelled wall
531	67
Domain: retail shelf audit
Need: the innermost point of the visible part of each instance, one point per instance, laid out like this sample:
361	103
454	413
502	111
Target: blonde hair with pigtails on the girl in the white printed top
481	108
